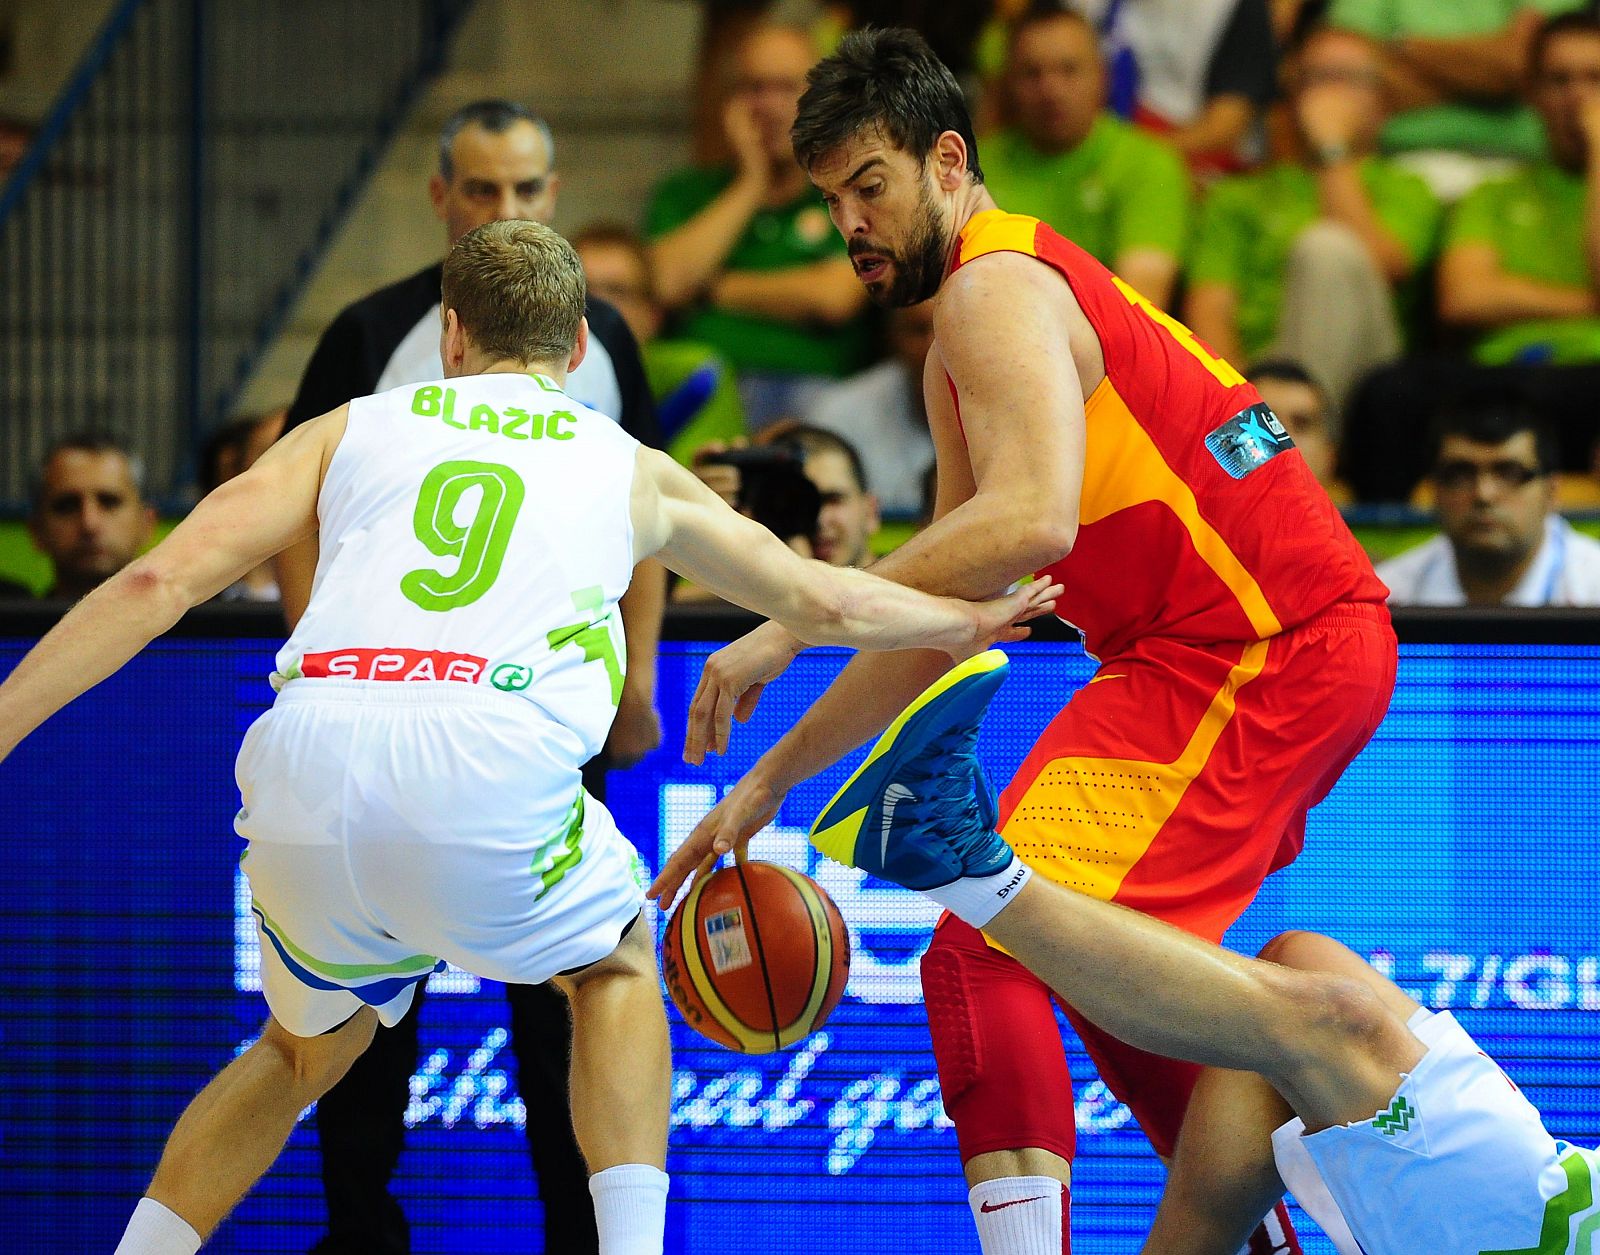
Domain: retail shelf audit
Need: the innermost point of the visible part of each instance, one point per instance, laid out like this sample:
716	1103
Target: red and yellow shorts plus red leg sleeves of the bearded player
1175	782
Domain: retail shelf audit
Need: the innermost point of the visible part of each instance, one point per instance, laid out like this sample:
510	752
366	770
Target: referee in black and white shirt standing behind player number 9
497	161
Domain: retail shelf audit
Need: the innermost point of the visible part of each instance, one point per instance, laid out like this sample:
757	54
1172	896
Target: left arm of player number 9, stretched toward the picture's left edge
231	532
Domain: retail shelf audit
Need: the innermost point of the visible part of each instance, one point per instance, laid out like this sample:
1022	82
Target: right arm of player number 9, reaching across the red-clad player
694	532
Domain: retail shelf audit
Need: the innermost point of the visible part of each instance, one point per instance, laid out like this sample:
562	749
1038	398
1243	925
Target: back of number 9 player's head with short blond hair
519	292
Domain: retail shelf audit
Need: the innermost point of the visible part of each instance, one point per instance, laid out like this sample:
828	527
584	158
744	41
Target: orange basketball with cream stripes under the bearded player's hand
756	958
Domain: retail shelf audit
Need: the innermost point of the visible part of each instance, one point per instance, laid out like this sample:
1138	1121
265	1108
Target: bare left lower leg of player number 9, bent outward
236	1126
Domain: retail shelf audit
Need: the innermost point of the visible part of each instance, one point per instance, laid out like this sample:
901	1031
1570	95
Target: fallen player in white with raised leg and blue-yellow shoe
1386	1121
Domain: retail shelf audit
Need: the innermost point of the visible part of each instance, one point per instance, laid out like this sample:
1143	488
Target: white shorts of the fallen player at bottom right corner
1457	1165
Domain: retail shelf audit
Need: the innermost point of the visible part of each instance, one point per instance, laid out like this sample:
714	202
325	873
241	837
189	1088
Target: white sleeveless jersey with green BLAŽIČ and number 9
476	532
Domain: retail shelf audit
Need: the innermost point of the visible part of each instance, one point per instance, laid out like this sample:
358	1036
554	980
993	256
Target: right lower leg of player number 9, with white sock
622	1093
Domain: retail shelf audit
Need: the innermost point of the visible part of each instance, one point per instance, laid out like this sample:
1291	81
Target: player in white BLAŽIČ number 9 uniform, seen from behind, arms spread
414	795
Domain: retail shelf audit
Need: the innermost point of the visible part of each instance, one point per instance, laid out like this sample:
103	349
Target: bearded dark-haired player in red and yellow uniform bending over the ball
1244	643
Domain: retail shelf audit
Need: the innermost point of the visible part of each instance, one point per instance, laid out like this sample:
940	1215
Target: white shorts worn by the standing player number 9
396	827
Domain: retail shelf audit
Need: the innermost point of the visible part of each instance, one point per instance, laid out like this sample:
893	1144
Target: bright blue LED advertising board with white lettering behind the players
1458	851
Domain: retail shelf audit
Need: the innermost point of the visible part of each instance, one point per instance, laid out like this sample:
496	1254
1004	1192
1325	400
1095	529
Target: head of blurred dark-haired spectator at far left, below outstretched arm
90	516
